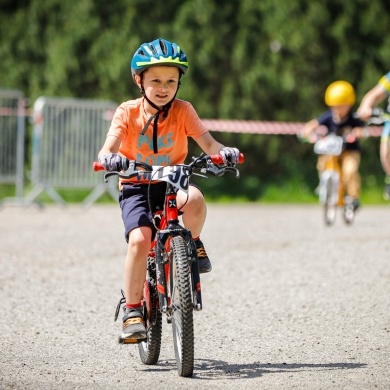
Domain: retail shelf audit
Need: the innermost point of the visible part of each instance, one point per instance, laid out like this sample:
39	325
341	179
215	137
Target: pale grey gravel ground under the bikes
290	303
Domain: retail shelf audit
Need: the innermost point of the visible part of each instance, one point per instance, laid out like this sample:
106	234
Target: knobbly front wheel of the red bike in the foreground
182	306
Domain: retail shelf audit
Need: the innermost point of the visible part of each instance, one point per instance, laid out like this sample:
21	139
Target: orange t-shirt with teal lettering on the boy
172	133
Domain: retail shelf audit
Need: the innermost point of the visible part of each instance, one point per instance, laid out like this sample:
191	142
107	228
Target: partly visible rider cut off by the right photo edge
373	97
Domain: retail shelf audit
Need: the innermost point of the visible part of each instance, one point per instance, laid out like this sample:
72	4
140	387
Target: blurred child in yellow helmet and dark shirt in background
340	98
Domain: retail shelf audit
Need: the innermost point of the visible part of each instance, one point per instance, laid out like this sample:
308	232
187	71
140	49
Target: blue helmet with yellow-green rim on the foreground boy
160	52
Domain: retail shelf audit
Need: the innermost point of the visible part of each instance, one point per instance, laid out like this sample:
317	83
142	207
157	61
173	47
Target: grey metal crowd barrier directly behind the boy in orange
67	135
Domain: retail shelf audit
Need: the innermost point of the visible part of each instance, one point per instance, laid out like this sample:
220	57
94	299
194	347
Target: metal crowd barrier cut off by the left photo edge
12	138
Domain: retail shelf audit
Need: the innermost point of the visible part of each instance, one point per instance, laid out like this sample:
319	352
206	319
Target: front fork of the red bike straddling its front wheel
163	238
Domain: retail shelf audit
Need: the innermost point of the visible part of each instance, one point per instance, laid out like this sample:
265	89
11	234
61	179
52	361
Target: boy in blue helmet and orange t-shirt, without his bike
154	129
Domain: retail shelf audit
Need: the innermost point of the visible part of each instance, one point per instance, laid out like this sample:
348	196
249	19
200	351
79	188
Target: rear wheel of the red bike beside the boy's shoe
149	350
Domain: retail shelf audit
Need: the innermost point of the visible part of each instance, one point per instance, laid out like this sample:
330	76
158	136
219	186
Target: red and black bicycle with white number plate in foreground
172	286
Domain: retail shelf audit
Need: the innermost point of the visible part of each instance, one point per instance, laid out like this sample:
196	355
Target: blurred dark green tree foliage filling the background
249	59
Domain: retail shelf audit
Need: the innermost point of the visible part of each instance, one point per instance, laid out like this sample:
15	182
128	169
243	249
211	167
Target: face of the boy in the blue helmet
160	83
